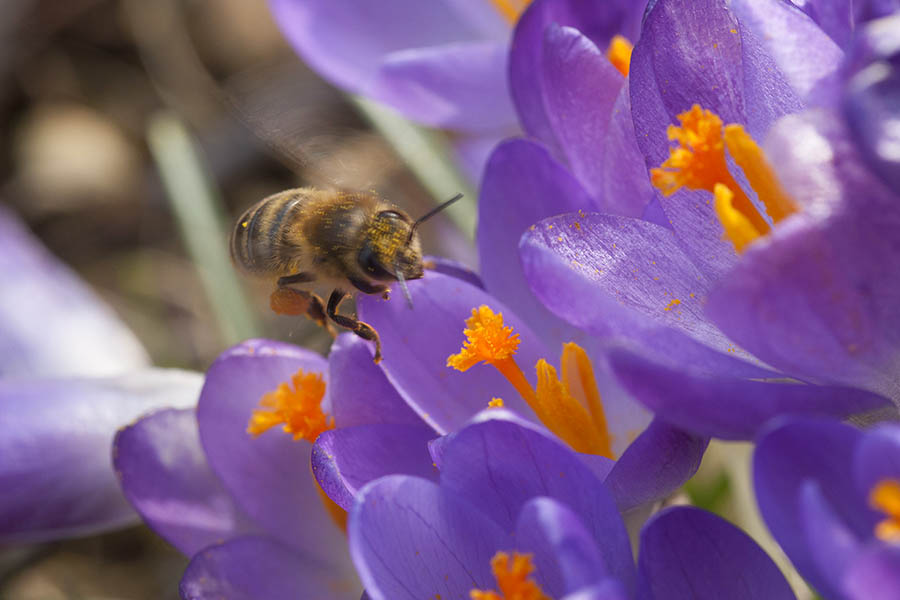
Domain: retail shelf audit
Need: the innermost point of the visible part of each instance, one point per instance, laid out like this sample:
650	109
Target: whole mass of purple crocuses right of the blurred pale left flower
698	236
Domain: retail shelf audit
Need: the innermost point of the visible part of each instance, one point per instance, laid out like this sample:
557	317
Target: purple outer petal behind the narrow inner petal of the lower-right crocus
822	452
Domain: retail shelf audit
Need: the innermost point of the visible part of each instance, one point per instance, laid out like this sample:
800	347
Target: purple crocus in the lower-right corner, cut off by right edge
830	495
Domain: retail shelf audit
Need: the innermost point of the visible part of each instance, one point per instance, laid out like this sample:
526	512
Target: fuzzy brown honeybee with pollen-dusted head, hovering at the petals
348	241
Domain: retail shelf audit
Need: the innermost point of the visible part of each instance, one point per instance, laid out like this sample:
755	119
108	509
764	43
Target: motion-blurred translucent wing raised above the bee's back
309	126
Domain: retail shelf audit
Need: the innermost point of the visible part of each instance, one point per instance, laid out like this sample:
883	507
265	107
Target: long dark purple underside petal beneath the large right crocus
728	407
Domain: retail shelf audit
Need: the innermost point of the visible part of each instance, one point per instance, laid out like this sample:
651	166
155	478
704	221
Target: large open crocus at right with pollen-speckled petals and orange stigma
700	317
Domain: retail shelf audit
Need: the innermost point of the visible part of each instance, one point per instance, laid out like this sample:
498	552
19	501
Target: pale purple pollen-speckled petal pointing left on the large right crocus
577	274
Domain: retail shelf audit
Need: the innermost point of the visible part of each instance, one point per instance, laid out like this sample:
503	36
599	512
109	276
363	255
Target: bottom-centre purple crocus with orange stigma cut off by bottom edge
515	514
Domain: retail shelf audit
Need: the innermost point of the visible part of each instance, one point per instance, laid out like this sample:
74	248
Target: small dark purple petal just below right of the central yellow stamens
655	464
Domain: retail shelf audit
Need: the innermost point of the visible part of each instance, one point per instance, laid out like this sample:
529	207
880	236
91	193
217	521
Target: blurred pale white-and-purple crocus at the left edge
71	373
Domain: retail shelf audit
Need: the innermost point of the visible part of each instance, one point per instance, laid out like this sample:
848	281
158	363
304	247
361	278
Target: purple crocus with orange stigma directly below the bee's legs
241	500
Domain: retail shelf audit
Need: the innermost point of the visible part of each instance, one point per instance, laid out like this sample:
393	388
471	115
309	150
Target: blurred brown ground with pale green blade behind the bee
133	133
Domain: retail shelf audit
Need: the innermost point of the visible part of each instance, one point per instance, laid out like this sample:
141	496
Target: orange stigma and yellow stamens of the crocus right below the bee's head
570	407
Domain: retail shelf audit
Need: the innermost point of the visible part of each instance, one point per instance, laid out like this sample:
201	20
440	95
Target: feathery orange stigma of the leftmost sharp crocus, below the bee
297	408
